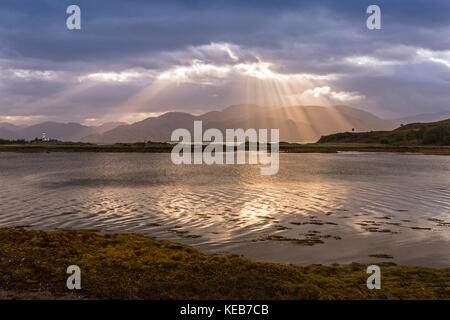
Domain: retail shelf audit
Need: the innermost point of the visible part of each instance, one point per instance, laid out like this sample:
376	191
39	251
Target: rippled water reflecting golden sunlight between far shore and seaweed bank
319	208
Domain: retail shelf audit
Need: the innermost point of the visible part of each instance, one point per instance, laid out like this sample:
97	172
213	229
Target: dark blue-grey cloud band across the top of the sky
119	31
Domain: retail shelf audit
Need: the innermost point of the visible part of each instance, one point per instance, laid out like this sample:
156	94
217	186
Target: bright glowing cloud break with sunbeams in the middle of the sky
253	82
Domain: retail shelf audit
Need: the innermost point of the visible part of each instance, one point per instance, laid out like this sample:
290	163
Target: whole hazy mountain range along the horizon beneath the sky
296	124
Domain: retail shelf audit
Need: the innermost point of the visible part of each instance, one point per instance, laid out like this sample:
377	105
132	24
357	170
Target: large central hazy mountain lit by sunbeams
296	124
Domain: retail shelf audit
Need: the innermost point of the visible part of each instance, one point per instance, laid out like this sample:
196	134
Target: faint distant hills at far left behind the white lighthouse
54	130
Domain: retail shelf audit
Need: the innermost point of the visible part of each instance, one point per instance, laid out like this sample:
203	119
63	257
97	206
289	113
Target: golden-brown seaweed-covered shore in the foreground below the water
130	266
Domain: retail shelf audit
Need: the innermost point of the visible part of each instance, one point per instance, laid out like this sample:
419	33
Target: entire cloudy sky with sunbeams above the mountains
135	59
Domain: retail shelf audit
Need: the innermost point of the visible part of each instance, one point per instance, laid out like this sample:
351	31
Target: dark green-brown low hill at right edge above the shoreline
434	133
